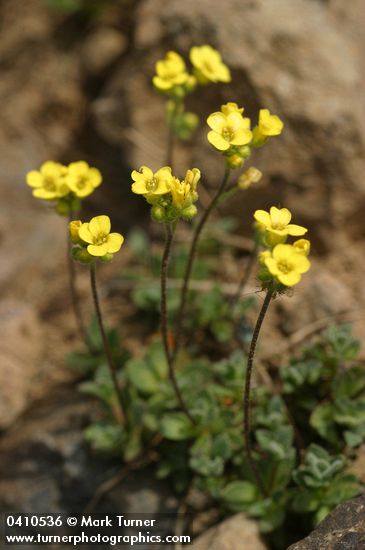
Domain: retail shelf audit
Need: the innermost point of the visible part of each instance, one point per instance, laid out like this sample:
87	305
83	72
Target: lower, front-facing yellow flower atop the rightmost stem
287	264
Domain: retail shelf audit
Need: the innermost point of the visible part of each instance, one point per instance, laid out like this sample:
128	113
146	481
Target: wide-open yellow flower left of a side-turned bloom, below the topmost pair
228	130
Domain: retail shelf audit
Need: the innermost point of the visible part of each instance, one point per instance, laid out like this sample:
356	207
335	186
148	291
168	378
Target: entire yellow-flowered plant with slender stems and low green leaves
273	442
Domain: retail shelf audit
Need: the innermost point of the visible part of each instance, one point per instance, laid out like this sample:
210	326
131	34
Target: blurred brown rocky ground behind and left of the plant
75	87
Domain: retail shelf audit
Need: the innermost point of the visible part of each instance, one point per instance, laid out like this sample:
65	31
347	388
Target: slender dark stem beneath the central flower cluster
164	330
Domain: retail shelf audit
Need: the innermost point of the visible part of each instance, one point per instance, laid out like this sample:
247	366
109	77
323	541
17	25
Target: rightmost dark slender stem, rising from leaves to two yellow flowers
246	398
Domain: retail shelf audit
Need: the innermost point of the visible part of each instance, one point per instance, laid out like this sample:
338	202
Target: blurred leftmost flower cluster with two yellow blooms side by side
64	185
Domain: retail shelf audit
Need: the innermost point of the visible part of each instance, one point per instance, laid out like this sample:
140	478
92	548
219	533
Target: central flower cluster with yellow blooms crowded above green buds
170	198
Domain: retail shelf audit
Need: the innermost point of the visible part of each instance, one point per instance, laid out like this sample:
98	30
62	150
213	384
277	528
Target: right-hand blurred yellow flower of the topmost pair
208	65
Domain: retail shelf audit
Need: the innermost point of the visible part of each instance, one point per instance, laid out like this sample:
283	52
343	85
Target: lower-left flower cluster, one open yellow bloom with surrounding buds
93	240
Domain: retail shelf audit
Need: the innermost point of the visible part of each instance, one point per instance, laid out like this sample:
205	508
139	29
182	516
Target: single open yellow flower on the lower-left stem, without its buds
97	235
